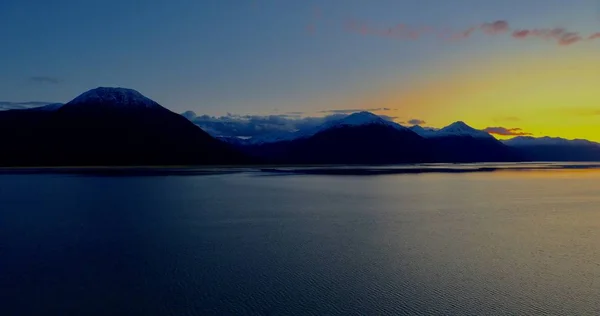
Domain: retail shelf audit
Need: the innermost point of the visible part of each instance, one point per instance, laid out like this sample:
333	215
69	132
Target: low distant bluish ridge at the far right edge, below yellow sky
555	149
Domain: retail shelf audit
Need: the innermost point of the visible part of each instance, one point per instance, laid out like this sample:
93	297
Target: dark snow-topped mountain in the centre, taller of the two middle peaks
360	138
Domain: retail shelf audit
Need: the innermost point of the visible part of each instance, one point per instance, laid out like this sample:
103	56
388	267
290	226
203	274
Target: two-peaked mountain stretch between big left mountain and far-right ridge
365	138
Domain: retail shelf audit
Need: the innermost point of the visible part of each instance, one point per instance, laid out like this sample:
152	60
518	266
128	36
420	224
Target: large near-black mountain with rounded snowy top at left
108	126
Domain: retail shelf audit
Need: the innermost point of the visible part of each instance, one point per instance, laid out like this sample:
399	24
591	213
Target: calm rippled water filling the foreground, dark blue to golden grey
258	243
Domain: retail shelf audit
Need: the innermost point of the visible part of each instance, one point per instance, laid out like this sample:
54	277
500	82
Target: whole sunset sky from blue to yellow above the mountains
514	67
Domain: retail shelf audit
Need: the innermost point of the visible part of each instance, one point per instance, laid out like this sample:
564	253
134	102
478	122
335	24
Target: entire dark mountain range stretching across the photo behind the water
117	126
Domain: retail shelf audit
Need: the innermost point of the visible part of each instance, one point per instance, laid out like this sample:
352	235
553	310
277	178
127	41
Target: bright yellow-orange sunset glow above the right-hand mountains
548	94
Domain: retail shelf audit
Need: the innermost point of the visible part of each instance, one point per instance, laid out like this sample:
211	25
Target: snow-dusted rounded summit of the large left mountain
118	97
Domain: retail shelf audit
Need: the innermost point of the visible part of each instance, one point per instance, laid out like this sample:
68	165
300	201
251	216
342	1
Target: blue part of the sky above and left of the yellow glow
252	56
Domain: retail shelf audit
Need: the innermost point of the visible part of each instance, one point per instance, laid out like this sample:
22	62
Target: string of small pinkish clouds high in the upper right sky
561	36
